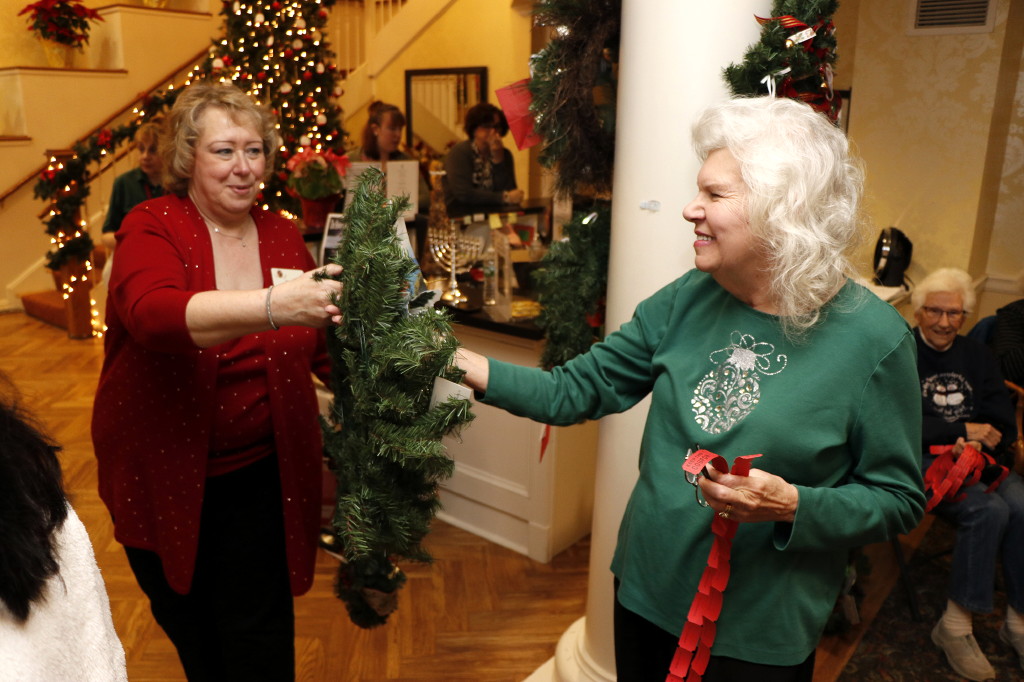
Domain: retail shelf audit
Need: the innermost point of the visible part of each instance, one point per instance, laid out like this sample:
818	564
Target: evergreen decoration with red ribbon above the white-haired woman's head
794	58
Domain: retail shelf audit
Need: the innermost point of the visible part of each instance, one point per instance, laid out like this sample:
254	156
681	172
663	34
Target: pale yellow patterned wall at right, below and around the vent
923	121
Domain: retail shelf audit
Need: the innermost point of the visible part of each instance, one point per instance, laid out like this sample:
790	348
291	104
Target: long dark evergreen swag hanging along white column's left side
574	105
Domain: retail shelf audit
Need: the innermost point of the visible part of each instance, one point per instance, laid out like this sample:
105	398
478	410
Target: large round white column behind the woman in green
672	57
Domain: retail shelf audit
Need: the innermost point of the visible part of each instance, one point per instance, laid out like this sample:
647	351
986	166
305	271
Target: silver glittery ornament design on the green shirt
731	392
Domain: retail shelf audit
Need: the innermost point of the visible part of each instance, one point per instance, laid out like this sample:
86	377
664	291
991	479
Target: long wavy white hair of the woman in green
803	198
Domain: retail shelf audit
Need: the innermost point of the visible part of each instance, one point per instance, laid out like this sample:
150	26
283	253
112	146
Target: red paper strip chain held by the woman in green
694	652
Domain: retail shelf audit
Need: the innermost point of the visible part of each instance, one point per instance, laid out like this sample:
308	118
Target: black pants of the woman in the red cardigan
238	622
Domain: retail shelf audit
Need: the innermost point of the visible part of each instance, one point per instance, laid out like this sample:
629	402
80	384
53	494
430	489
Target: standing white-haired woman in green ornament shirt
766	348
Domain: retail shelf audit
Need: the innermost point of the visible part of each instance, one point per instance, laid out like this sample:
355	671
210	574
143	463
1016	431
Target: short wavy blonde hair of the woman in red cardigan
183	130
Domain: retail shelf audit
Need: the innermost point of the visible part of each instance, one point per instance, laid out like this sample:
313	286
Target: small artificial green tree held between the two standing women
383	439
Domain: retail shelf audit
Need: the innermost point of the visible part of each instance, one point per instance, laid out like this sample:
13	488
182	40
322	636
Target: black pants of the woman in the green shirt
645	652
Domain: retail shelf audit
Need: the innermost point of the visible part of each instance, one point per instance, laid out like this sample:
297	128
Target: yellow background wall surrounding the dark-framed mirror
471	33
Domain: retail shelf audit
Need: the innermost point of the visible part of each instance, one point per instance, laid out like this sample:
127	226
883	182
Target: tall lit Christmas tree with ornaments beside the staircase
277	52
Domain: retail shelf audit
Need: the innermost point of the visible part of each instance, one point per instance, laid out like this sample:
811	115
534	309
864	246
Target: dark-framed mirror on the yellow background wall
437	101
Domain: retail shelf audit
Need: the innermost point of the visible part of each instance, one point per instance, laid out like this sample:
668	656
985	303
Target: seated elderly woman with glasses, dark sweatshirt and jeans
964	400
